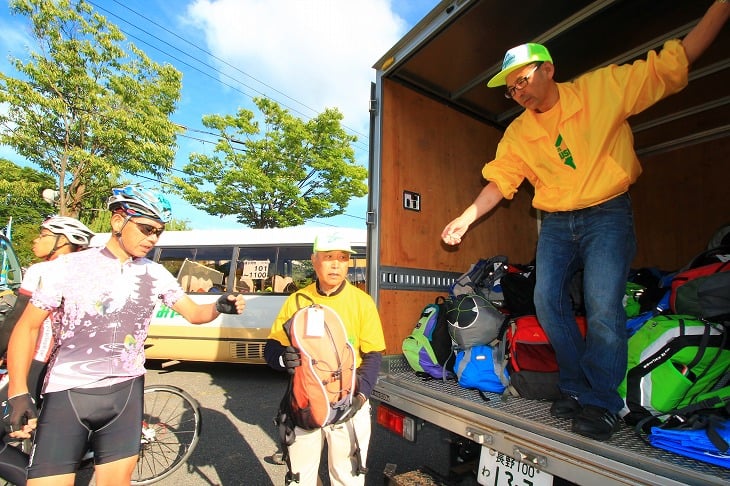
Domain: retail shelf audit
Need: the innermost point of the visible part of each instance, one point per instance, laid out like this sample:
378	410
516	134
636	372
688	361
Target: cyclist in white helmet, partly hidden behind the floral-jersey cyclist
58	236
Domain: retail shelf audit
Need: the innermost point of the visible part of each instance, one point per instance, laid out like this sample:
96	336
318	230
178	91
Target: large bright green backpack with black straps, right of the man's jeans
675	361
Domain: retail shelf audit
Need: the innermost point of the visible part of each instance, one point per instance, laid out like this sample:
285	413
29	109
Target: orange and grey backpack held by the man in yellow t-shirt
321	389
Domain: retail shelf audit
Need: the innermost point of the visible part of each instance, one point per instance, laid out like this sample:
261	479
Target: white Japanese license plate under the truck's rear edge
498	469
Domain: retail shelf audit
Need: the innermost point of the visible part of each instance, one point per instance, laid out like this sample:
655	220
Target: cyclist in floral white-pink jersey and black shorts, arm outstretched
92	397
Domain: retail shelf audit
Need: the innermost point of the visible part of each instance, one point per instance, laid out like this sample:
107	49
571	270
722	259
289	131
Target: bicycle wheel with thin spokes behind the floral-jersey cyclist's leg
170	431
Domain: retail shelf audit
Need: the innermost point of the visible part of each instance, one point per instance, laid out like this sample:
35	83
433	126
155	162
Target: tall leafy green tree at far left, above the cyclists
87	105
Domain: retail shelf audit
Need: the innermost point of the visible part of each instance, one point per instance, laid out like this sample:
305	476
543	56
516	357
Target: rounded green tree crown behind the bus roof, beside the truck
278	175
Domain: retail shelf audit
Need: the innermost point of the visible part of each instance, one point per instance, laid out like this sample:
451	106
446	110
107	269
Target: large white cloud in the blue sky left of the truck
318	52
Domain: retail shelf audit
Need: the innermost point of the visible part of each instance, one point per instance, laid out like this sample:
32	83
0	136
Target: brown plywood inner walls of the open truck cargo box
437	152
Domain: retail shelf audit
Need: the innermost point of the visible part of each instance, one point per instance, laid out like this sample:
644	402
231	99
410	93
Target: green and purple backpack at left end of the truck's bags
428	348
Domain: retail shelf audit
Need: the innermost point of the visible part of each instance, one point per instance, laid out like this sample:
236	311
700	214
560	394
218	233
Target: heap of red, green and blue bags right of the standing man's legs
677	386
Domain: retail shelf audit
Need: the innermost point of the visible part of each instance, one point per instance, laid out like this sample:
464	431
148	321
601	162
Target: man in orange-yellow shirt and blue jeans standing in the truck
574	145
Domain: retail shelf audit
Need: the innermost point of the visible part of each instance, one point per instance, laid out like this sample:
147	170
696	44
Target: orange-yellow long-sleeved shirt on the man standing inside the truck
591	159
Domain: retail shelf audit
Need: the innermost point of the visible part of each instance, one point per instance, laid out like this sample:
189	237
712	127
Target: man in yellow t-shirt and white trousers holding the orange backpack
347	442
